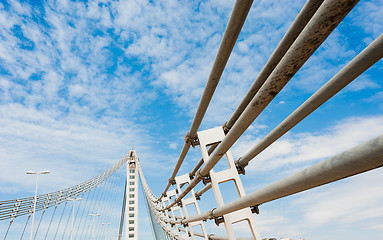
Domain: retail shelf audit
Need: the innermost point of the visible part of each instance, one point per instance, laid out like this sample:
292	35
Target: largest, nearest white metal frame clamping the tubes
207	138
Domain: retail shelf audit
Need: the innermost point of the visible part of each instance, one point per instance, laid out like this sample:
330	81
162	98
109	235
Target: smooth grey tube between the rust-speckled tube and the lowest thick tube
364	60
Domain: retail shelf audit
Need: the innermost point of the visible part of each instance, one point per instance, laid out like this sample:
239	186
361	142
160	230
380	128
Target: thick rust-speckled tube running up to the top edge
324	21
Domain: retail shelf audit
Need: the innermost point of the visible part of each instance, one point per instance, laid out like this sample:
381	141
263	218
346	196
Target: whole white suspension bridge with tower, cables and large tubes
90	209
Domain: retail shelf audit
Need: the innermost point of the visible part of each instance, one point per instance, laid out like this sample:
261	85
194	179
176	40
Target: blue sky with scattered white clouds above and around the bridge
81	83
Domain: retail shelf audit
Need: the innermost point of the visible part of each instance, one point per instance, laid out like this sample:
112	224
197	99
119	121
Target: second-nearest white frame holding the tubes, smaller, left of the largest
192	202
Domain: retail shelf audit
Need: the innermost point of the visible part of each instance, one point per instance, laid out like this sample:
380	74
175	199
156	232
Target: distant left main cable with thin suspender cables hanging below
54	210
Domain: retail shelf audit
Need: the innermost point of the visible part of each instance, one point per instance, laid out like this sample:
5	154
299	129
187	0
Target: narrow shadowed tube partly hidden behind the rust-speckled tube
304	16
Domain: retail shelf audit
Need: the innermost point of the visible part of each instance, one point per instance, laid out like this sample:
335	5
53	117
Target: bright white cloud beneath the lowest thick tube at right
337	203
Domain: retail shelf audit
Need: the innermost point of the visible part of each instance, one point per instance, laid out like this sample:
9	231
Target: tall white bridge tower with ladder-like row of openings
131	207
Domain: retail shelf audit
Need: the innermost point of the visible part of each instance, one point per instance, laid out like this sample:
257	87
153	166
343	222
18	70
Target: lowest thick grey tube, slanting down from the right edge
364	157
